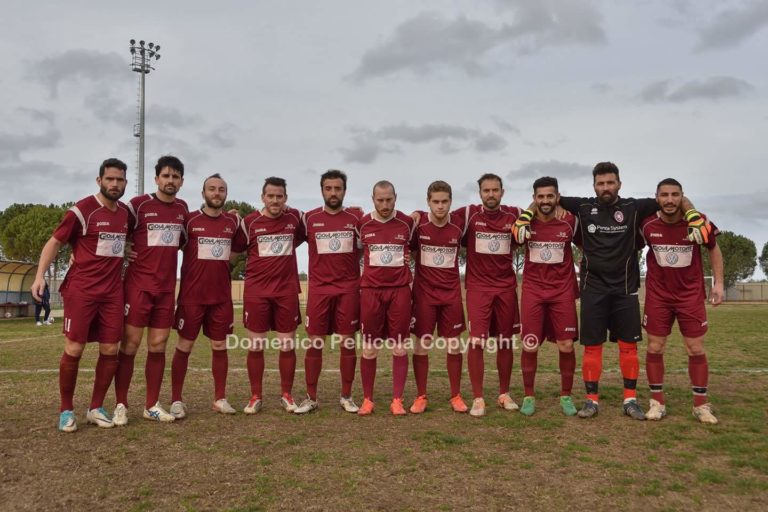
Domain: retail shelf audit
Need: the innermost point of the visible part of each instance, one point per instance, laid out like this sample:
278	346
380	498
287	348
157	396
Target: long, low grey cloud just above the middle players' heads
367	145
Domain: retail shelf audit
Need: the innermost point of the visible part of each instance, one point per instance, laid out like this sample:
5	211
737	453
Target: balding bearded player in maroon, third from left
205	294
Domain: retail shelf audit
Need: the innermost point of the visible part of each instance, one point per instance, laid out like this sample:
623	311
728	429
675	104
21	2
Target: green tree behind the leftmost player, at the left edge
26	230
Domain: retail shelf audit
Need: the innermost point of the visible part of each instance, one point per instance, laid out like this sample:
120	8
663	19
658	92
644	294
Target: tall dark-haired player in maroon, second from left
155	227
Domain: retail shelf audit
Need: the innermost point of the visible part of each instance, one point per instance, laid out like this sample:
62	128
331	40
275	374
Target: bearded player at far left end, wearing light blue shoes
96	227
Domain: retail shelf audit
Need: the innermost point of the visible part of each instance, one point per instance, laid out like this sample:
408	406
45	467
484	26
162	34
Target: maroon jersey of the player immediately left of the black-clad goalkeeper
549	272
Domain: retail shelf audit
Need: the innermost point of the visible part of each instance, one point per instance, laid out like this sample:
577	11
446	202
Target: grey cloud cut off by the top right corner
733	26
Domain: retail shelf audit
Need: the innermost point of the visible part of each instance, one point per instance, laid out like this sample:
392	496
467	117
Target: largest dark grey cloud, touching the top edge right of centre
430	40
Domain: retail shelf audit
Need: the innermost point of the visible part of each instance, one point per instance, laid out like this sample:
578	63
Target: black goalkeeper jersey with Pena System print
609	262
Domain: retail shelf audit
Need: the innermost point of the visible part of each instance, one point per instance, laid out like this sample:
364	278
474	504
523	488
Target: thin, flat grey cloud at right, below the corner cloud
713	88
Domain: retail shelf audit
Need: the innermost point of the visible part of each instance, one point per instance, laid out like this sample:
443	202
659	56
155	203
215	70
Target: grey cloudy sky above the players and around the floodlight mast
407	90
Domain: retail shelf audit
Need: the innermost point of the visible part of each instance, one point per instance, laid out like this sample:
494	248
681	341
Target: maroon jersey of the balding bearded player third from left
205	274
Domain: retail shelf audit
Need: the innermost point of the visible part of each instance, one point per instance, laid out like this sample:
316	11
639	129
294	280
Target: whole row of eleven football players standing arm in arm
385	300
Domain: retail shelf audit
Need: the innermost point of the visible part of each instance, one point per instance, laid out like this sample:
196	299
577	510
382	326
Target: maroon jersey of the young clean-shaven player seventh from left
437	262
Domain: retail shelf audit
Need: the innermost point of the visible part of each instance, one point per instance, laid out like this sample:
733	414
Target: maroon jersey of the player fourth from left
272	269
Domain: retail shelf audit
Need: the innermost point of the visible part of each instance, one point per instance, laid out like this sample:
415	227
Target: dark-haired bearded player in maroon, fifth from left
333	299
